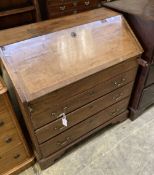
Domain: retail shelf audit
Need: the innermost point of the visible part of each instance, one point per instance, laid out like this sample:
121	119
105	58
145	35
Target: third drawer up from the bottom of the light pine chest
5	121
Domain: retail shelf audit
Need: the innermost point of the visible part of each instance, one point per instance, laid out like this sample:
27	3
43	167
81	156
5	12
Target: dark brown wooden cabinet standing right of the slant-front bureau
140	16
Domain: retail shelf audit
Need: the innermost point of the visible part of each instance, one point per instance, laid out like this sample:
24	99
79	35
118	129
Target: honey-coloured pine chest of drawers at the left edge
14	153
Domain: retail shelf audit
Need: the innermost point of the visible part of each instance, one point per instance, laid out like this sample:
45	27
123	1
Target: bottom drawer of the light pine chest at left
12	158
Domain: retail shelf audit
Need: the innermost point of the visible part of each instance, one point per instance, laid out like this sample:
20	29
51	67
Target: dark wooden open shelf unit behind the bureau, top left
18	12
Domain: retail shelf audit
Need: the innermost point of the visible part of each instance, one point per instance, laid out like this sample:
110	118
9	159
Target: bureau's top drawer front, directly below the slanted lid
80	93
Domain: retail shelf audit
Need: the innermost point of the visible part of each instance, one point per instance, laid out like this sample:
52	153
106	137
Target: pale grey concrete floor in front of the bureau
124	149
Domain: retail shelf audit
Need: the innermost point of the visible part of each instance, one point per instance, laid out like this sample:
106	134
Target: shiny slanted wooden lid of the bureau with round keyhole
41	65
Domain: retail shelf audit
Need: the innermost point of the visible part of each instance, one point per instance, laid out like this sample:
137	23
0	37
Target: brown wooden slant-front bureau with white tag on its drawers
72	82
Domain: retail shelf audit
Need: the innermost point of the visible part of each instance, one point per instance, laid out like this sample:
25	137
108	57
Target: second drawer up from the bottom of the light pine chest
9	140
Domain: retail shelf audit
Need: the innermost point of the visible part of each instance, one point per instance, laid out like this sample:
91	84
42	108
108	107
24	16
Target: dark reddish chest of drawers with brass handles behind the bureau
57	8
